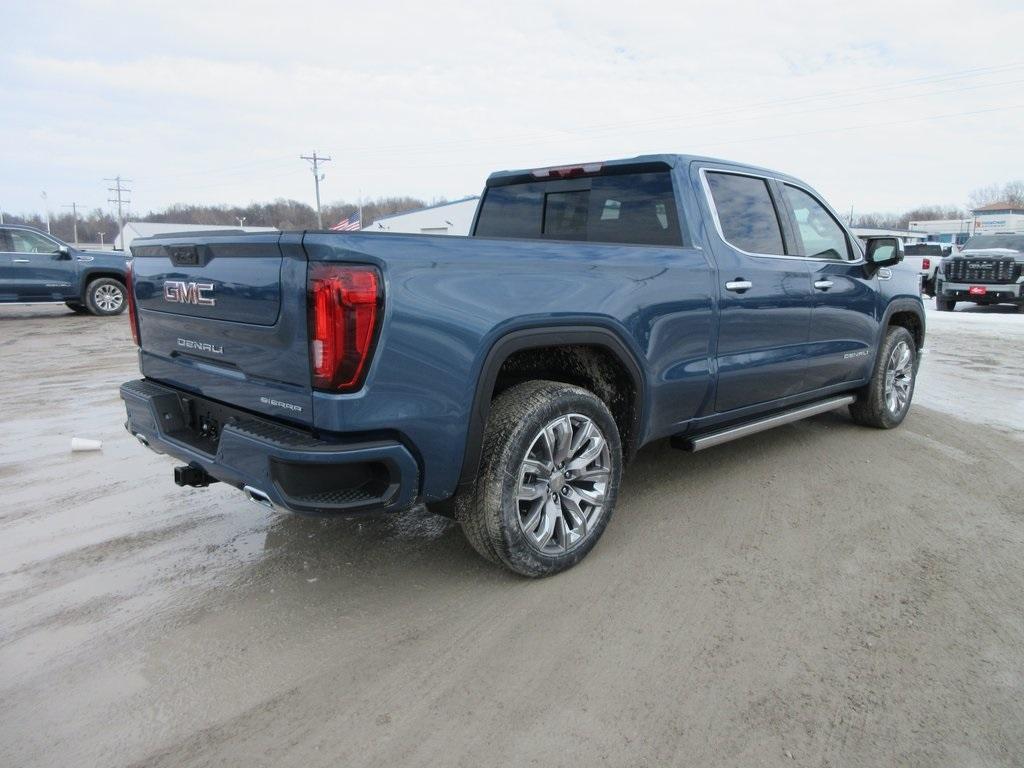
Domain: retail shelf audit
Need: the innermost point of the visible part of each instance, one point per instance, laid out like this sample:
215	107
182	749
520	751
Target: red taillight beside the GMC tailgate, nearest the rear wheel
345	305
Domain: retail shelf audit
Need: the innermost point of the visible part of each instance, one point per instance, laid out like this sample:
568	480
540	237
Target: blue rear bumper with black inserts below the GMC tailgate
287	468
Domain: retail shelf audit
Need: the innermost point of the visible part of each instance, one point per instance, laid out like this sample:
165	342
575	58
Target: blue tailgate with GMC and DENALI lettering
225	317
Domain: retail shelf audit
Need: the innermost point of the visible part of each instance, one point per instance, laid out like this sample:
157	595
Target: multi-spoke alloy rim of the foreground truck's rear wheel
564	484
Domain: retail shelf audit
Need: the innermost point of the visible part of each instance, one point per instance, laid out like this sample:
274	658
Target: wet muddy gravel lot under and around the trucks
819	595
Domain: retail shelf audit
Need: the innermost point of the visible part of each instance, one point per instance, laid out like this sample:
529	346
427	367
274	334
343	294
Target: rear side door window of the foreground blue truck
747	214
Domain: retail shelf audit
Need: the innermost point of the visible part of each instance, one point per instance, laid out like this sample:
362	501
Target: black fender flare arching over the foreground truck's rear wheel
517	342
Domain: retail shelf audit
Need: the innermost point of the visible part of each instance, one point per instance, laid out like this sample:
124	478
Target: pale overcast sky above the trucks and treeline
878	106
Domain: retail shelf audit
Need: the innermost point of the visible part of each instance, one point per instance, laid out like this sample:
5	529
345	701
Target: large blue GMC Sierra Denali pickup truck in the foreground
506	378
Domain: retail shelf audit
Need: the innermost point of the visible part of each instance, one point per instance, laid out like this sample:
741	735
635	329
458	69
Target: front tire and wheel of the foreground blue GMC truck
886	401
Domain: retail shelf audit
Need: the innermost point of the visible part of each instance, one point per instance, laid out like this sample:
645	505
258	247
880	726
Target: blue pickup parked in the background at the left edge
36	267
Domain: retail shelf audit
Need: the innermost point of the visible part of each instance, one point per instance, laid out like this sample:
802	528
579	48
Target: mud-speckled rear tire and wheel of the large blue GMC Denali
549	479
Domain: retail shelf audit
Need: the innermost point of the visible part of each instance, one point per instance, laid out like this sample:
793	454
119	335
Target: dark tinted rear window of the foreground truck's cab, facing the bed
632	208
